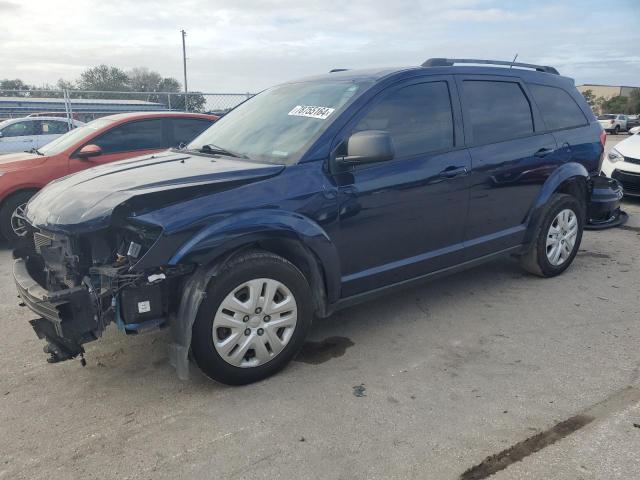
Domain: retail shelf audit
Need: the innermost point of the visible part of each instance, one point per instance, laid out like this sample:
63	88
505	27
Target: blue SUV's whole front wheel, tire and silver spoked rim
254	319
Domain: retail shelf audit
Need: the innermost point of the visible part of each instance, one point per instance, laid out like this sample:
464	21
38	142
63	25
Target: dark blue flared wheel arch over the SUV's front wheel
217	239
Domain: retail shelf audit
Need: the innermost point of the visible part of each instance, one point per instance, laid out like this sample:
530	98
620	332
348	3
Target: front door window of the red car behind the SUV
140	135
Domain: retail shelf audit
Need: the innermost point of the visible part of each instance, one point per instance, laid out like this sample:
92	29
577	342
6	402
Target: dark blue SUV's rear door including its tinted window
511	156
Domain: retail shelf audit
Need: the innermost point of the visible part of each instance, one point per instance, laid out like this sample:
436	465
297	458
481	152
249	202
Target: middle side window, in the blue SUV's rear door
497	111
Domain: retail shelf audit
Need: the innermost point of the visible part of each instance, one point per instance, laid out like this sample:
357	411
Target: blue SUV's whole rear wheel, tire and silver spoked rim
557	237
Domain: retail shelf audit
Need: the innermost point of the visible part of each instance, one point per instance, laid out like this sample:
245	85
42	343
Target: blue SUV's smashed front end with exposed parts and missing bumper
78	285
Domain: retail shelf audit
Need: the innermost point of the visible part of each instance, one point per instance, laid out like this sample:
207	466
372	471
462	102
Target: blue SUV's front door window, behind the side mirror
418	117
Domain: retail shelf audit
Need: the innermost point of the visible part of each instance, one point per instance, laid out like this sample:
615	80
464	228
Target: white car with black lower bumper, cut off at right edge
623	163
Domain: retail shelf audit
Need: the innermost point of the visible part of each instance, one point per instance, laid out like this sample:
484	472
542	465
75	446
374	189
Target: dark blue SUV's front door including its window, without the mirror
403	218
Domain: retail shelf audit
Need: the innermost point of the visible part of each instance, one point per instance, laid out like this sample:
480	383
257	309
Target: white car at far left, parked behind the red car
24	134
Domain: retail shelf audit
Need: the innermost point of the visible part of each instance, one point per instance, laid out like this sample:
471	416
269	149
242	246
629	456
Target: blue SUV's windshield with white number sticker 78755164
276	125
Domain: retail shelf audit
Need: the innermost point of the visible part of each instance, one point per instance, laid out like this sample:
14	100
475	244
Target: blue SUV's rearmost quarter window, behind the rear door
558	109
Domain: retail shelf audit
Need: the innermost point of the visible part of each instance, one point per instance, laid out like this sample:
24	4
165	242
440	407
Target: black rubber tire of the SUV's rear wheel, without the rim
535	259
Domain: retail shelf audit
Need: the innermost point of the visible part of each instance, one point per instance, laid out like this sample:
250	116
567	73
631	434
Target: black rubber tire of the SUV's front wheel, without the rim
243	268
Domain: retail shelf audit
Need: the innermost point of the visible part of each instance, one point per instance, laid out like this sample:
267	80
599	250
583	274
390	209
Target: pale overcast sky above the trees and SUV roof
247	45
